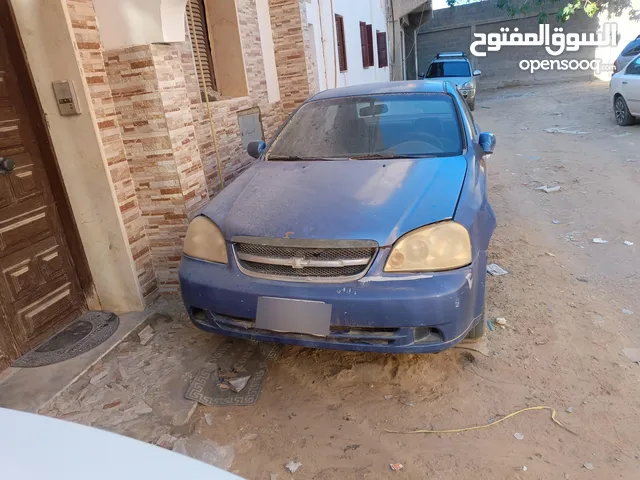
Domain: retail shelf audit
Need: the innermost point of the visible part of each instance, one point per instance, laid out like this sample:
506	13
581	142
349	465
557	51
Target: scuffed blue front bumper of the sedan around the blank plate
378	313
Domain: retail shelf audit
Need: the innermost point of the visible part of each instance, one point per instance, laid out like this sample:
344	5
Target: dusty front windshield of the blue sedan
375	126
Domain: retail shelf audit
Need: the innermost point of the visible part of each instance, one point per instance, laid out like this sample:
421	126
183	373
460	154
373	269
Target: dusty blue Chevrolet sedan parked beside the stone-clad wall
364	226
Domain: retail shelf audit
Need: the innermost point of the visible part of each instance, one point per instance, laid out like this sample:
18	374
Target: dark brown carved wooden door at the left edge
39	287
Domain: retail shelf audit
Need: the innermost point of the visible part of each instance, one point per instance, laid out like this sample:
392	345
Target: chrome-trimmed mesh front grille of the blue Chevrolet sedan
294	261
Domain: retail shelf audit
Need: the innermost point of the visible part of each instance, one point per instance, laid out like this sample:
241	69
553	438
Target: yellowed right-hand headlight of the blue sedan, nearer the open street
437	247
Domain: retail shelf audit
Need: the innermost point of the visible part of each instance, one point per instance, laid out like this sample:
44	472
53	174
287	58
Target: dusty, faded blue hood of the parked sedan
353	199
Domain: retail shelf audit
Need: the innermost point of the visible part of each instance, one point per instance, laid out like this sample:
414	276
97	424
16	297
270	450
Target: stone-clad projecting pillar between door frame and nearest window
157	129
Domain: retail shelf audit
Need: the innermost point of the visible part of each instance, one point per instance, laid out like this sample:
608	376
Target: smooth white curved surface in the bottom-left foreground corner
68	451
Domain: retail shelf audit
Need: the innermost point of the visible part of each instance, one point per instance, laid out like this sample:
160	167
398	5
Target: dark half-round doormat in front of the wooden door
86	332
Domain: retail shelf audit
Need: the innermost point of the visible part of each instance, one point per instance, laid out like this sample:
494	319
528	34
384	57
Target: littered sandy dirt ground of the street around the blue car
563	301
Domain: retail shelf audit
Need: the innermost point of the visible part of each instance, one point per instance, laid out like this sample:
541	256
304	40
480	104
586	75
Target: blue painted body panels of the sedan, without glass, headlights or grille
377	200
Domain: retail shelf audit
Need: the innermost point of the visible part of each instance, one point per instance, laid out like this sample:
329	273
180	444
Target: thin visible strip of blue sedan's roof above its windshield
382	88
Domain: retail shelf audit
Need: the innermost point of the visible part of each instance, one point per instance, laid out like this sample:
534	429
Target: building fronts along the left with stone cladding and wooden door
120	119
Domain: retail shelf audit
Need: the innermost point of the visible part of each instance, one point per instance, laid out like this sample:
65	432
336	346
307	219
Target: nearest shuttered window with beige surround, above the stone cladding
215	39
